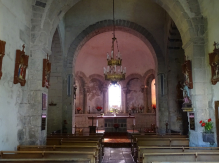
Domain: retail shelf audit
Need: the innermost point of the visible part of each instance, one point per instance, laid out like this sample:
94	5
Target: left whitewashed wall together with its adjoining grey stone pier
20	107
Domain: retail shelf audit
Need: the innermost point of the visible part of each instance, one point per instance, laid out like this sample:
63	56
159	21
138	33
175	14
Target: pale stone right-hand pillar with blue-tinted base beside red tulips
202	91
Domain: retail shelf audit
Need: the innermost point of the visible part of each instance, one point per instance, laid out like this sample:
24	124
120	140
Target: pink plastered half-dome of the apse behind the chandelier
135	54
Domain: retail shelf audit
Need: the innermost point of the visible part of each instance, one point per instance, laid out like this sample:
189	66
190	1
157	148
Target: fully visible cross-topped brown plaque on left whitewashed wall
21	64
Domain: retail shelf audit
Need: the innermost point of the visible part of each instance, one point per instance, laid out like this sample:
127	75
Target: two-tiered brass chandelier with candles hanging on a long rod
114	71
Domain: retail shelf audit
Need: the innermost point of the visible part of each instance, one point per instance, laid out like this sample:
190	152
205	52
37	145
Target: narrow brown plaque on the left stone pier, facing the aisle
46	72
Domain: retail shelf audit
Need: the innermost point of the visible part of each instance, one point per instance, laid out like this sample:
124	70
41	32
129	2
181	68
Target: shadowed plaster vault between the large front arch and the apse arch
142	12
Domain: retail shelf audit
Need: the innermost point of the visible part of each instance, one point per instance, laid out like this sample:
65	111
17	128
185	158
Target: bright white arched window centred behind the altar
114	96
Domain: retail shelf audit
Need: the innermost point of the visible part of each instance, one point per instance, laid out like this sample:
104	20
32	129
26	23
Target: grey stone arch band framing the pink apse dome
105	26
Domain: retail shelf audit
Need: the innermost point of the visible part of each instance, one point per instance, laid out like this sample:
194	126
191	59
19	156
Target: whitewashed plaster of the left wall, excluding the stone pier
15	16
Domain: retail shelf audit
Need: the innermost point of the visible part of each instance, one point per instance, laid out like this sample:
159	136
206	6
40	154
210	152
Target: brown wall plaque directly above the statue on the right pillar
187	71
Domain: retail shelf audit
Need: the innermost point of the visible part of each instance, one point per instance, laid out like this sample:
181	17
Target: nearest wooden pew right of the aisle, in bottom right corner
181	157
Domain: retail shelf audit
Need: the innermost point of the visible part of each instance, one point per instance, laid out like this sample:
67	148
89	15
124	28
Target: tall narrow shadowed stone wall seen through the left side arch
55	90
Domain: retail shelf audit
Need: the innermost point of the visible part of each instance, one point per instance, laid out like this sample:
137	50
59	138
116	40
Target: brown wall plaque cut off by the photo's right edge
214	63
